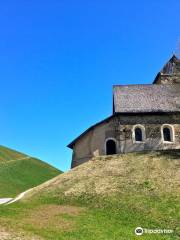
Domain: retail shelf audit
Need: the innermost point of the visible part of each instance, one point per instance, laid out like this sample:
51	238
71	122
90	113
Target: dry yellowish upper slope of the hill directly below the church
155	172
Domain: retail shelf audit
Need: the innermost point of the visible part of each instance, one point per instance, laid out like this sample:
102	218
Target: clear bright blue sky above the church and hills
59	60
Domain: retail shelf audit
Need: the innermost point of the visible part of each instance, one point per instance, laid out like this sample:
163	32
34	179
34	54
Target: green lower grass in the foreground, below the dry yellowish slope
112	218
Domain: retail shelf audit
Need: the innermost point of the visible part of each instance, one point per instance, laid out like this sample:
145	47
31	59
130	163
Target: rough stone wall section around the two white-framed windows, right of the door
153	135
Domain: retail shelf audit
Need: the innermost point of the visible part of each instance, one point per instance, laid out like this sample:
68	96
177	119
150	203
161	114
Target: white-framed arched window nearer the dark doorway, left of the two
138	133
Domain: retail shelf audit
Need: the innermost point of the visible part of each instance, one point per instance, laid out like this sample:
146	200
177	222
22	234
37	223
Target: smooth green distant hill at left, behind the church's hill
18	172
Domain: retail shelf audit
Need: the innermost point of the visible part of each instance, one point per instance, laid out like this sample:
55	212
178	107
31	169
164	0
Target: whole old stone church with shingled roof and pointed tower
145	117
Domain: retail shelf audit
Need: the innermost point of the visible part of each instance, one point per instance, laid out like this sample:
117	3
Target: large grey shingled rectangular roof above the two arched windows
146	98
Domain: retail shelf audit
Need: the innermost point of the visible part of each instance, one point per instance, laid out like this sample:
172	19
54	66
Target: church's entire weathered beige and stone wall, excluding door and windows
120	128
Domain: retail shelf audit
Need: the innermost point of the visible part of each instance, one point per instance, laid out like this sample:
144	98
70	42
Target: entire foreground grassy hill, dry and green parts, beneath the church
103	199
